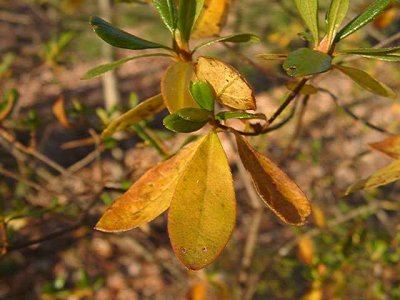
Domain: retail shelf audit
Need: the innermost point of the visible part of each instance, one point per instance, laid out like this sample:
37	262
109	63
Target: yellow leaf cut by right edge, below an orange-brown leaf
388	174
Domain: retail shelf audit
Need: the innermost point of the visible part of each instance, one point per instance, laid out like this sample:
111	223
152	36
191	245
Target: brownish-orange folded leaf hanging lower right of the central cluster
274	187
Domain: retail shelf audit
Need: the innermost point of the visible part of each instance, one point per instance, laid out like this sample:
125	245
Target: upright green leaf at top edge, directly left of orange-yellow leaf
189	11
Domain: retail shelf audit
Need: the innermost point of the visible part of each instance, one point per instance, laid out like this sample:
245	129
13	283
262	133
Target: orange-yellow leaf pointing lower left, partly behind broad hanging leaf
149	197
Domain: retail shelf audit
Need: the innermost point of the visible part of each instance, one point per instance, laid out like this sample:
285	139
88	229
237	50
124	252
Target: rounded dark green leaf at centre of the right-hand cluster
305	61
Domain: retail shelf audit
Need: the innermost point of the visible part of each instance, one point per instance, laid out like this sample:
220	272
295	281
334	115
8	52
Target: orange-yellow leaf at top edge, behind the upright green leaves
212	18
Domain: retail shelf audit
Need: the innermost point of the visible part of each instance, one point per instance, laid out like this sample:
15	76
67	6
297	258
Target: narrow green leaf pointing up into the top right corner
363	19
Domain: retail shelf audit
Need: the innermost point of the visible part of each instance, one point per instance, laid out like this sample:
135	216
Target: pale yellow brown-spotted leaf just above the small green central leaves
230	87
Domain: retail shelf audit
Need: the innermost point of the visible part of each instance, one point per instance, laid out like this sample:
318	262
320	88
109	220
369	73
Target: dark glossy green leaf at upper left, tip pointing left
119	38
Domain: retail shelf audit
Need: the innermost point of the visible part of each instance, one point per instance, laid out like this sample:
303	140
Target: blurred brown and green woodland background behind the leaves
56	178
